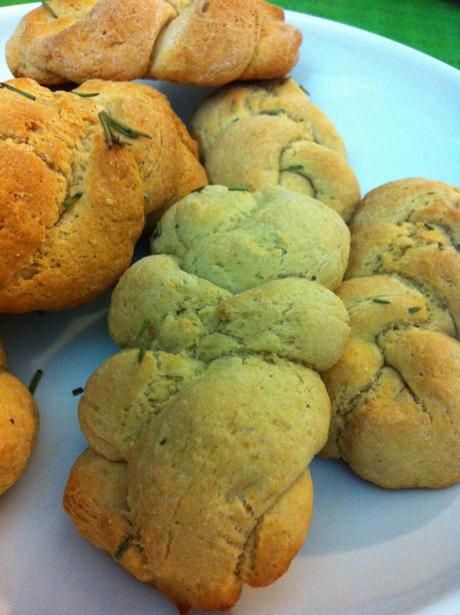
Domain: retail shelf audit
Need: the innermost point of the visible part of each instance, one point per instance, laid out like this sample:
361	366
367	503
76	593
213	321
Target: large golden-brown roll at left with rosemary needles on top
72	207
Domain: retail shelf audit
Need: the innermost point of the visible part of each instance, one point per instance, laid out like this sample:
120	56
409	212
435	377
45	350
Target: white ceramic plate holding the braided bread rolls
369	551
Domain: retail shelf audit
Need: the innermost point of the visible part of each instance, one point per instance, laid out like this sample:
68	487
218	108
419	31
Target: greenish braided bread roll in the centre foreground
201	432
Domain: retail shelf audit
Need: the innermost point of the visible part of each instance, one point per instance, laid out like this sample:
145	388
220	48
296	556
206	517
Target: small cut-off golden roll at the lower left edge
18	426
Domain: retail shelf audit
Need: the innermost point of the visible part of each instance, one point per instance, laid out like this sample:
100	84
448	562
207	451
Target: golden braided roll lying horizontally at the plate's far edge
201	42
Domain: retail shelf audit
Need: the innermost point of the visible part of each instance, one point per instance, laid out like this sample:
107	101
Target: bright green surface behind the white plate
431	26
